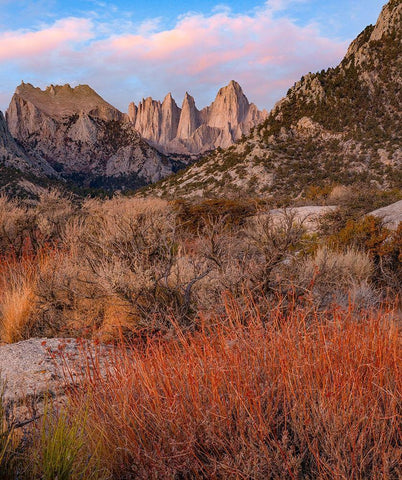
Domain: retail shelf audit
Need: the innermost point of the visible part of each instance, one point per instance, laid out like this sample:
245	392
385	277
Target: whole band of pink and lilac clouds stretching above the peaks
265	53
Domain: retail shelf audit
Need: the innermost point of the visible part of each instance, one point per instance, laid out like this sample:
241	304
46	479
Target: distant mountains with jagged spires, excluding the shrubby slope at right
72	135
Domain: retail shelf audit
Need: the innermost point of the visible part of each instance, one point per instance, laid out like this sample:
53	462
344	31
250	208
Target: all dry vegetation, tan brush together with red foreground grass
270	385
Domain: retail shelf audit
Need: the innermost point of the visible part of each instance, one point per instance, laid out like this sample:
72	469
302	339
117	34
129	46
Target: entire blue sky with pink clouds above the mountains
129	50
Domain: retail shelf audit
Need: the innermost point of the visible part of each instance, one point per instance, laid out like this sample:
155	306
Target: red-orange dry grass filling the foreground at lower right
296	395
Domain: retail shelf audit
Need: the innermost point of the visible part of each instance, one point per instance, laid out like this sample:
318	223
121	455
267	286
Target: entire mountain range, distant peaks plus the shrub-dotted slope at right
338	126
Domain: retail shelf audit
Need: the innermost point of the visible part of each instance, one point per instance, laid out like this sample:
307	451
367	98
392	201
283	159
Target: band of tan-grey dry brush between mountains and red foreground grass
131	264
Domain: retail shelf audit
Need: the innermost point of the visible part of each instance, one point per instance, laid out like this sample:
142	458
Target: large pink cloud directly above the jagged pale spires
260	52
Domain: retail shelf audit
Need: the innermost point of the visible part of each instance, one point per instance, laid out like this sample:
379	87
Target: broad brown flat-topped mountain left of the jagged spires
82	137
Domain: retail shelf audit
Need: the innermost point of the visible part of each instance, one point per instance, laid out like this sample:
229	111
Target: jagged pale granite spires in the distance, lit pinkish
187	130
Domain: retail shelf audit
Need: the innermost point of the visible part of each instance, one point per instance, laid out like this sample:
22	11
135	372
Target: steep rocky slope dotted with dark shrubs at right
339	126
